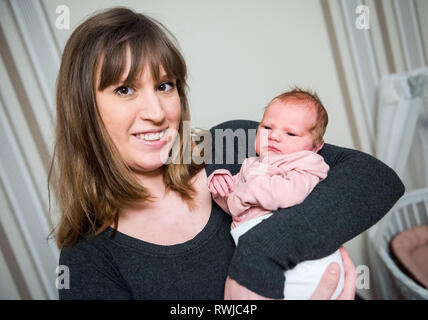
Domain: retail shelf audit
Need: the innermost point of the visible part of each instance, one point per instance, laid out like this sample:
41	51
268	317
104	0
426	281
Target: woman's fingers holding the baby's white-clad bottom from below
330	279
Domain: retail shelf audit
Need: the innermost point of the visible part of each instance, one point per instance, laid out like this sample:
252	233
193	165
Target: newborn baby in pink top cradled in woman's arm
285	172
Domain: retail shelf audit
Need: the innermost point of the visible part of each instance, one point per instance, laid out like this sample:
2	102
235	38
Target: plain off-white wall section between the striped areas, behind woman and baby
240	54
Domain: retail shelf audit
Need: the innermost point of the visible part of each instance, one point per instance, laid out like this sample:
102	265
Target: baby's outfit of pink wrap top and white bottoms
267	184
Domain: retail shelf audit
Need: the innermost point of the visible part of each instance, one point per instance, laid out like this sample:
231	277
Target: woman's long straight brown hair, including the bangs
90	179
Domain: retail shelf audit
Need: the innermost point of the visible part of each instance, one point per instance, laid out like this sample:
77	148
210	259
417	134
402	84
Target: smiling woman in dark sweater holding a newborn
133	227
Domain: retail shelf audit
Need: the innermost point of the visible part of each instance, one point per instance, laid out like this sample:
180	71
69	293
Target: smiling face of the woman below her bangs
142	120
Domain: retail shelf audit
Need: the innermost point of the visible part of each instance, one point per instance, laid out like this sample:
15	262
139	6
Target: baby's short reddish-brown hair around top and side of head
308	97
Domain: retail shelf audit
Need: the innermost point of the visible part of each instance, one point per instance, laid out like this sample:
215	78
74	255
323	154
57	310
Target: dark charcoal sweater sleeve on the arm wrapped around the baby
358	191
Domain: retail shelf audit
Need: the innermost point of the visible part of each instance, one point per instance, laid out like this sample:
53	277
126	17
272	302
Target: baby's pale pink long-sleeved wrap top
265	184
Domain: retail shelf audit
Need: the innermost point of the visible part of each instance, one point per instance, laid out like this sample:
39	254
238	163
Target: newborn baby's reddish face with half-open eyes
285	128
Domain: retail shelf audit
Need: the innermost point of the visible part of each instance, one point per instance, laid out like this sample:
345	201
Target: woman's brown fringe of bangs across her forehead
147	49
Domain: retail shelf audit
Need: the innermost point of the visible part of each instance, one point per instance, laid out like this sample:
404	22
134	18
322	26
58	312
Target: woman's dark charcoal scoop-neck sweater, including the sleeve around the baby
358	191
